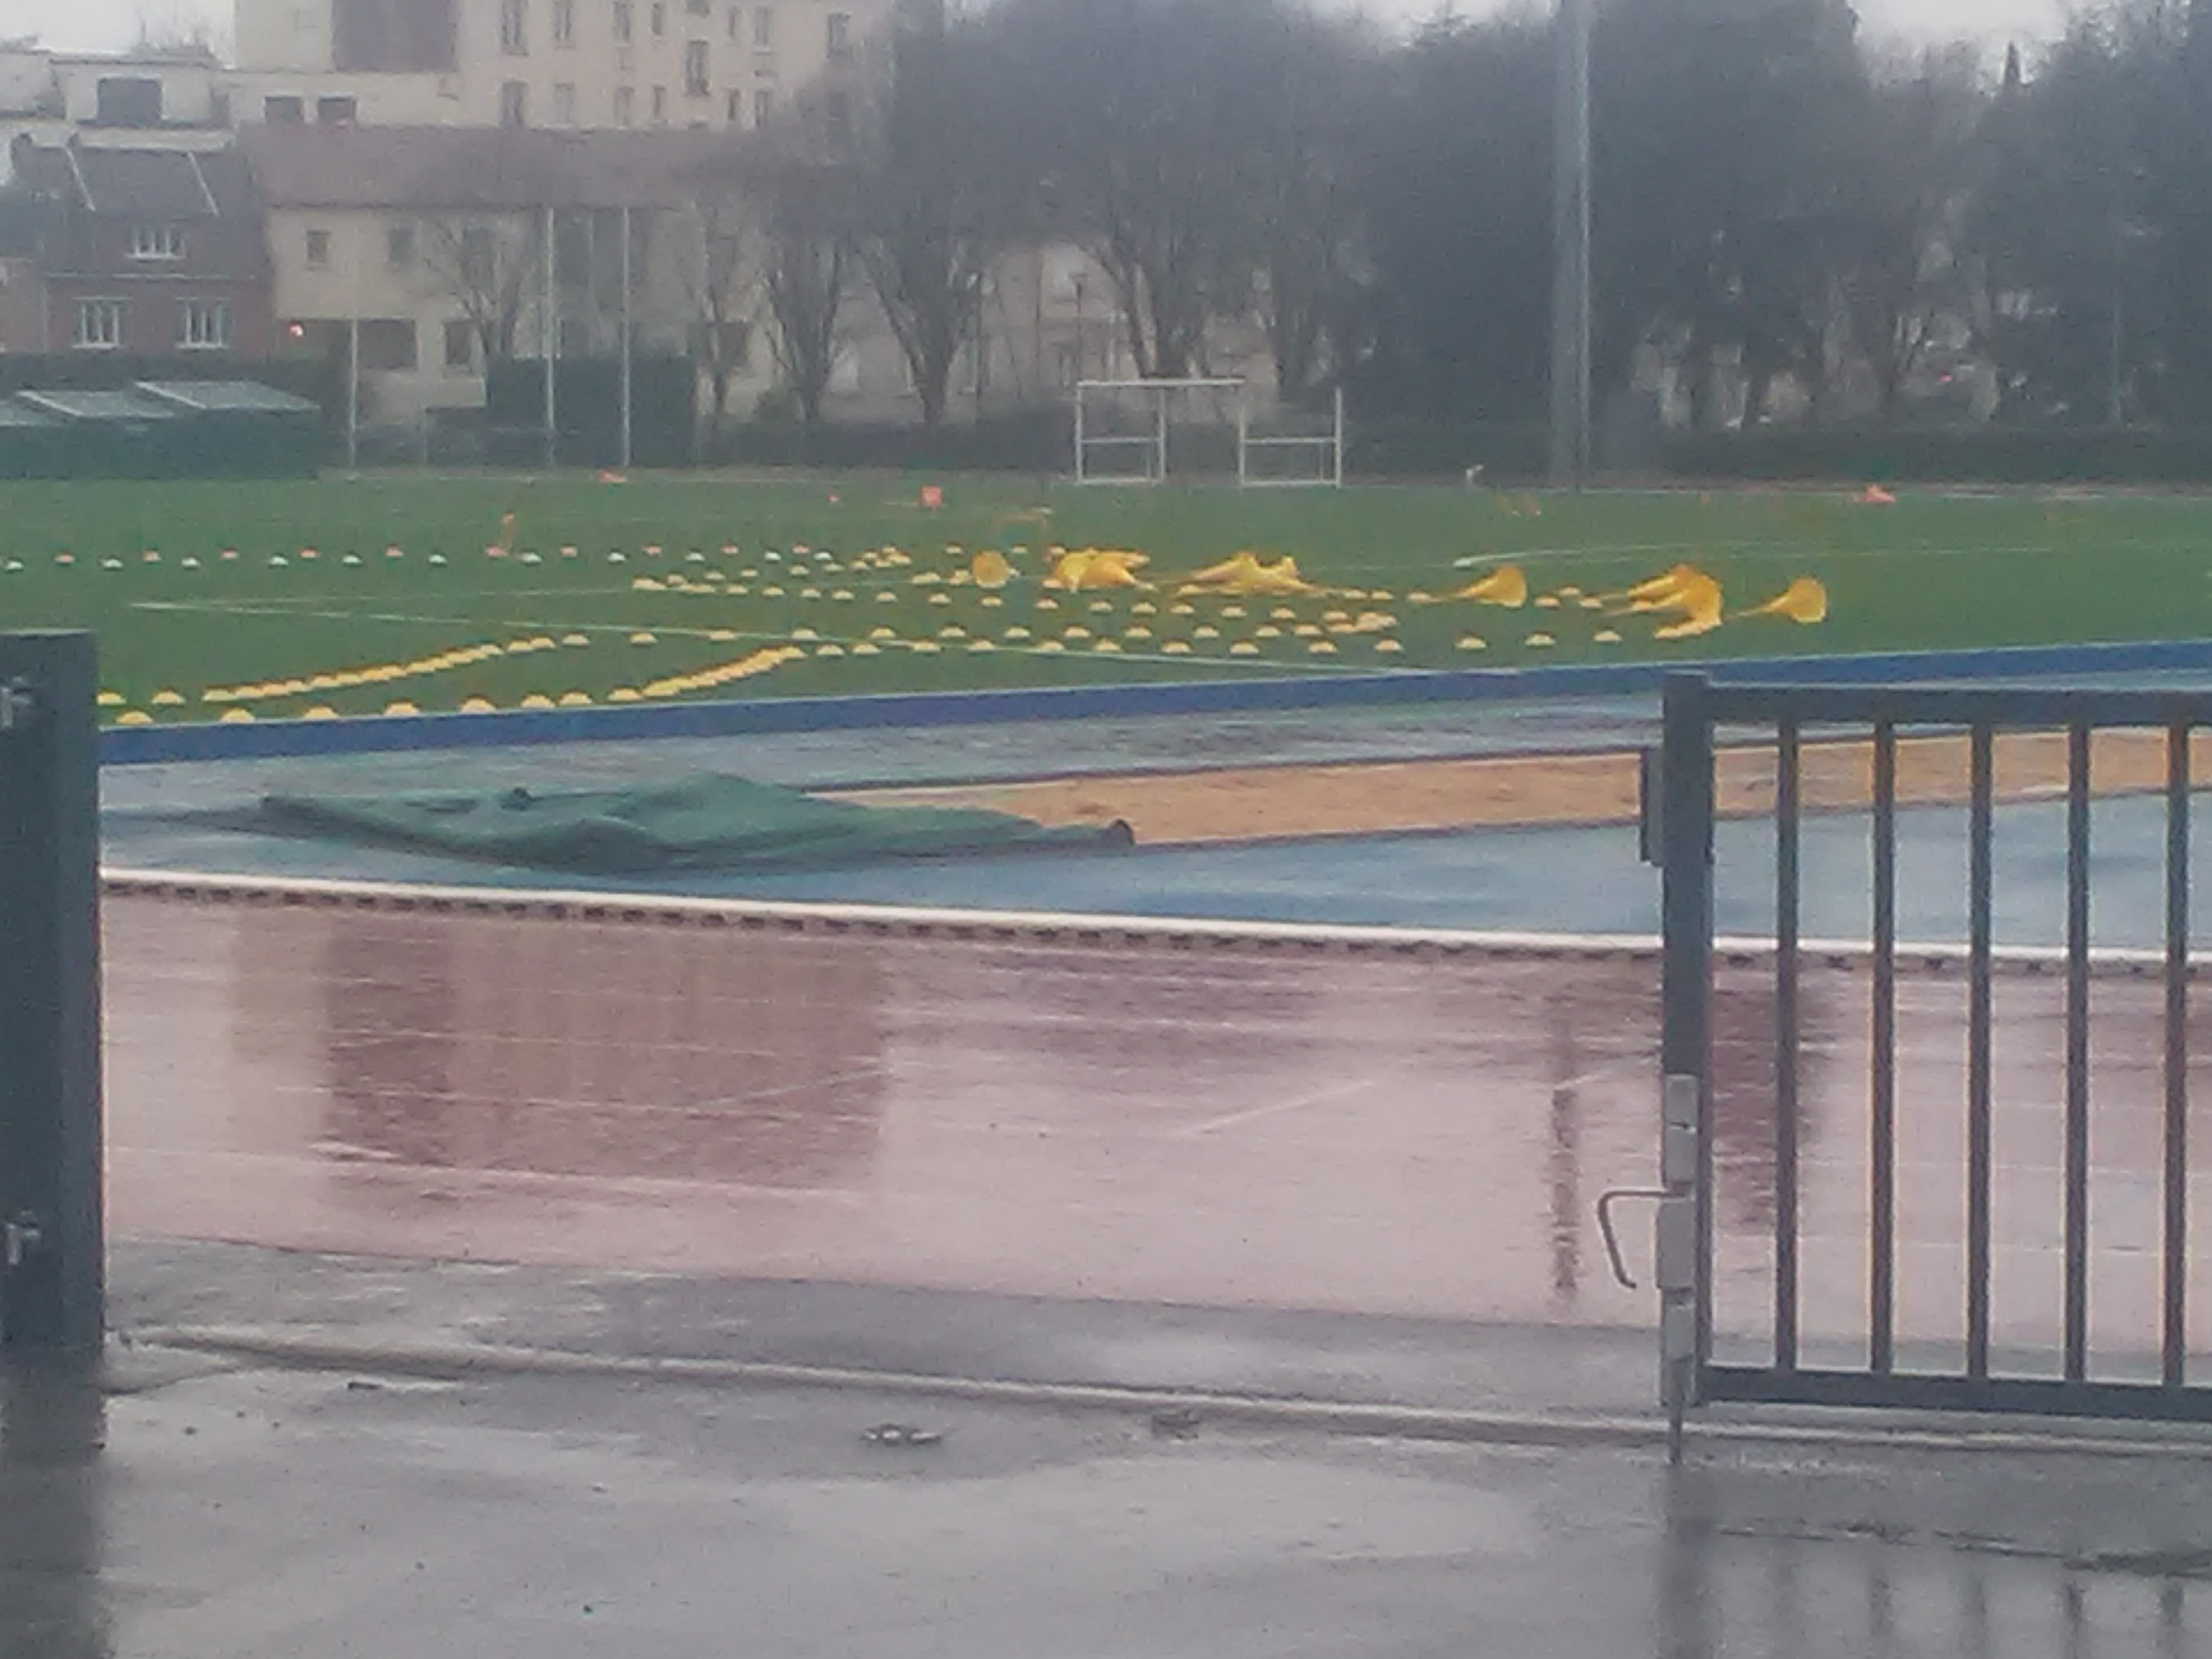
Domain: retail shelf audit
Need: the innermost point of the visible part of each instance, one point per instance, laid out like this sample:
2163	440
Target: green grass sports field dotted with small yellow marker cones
357	596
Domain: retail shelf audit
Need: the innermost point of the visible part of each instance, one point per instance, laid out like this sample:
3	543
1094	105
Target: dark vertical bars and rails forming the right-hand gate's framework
1981	718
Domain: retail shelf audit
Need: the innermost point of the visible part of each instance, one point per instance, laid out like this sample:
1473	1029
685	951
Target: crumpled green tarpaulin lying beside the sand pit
693	824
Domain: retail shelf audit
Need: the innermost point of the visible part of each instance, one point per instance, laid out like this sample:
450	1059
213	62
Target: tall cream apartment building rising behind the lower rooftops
545	63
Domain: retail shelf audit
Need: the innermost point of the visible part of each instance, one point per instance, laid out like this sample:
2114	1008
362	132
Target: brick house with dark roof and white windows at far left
145	253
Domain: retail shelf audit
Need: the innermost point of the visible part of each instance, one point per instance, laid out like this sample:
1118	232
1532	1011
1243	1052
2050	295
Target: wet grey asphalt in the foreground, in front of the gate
251	1514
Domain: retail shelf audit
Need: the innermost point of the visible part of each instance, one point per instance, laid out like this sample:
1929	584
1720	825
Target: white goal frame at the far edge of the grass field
1127	435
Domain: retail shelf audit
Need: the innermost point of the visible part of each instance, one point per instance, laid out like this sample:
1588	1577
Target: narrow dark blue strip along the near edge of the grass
782	716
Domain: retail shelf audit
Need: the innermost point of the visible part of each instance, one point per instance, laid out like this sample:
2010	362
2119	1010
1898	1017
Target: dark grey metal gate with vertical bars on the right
1859	1357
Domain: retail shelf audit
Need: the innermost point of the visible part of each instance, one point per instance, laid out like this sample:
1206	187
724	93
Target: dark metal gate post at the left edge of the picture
52	1246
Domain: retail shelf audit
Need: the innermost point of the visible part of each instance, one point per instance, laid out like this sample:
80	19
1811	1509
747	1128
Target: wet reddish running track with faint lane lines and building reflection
1198	1120
